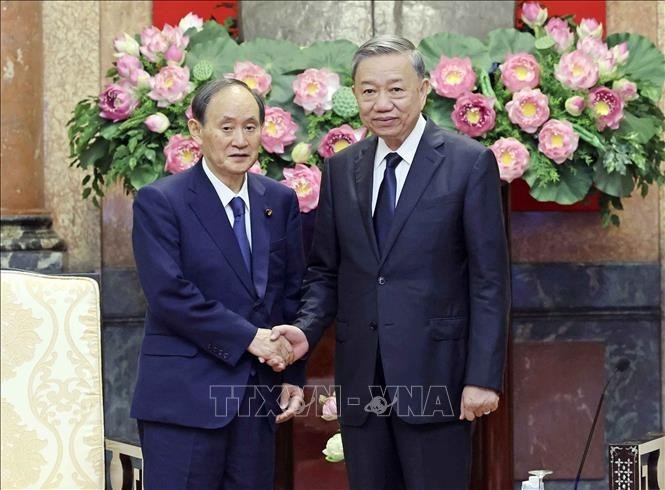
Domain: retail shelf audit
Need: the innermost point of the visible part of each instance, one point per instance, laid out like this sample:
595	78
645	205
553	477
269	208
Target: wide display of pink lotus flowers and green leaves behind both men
569	113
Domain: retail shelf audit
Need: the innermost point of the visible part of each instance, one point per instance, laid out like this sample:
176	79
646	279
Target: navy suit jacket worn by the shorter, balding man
203	306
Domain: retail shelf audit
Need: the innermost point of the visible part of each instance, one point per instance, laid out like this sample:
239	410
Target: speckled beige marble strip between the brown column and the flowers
71	72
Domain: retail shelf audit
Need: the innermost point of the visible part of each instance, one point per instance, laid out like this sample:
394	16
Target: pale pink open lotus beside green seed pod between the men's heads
314	90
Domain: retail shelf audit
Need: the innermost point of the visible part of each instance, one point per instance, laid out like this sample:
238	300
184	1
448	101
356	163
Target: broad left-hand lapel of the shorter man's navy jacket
205	203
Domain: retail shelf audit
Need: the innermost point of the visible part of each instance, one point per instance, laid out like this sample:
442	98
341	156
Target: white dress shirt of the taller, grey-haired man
407	151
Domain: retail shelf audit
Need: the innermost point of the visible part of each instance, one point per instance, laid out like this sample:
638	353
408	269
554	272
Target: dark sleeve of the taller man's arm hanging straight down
489	276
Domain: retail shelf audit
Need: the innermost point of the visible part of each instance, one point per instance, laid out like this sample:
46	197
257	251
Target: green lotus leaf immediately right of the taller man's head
454	45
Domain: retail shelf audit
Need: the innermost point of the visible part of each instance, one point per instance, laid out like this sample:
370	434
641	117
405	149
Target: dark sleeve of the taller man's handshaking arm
319	304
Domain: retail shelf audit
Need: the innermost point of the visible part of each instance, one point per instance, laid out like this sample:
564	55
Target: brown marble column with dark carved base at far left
27	240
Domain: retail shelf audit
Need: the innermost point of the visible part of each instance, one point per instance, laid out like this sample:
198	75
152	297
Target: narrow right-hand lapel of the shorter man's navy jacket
260	234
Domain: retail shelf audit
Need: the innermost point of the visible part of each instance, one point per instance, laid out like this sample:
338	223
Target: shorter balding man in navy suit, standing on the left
220	258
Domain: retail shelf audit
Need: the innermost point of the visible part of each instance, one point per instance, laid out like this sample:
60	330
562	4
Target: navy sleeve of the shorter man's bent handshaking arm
174	301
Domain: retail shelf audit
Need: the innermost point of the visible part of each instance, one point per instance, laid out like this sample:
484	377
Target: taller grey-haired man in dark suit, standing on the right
409	257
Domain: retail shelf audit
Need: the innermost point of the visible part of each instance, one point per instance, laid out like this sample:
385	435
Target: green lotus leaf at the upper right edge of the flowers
645	61
